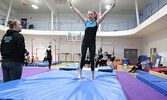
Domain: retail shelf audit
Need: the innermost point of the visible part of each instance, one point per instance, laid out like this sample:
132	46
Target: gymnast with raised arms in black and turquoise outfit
89	40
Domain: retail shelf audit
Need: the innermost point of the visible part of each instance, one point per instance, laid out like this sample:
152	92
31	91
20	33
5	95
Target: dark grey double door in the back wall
131	54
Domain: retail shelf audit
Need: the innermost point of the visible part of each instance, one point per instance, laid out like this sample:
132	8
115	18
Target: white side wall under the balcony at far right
156	40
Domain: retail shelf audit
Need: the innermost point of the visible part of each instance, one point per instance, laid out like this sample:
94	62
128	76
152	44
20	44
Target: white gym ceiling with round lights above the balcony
61	6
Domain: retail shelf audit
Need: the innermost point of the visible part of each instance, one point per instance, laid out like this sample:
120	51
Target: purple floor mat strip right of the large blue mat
137	90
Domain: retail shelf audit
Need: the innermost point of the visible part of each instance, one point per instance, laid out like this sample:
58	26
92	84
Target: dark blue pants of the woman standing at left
11	70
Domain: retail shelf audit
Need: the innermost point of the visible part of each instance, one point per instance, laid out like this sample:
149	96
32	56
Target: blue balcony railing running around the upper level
151	8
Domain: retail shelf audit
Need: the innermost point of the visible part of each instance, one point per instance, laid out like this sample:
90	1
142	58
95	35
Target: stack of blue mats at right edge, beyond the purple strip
155	82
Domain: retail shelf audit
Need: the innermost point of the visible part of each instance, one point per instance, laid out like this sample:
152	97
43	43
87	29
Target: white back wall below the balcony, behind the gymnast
106	43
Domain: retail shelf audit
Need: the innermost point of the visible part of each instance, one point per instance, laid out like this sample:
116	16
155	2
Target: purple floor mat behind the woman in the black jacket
28	72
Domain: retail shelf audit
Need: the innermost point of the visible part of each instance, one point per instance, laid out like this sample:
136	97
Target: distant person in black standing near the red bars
49	56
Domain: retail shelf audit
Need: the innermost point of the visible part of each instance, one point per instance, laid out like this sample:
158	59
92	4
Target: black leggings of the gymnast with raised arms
91	47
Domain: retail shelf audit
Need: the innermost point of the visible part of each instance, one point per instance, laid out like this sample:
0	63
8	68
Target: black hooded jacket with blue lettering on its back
13	47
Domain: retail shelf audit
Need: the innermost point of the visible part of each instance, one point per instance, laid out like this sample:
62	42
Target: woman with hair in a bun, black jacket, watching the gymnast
12	51
